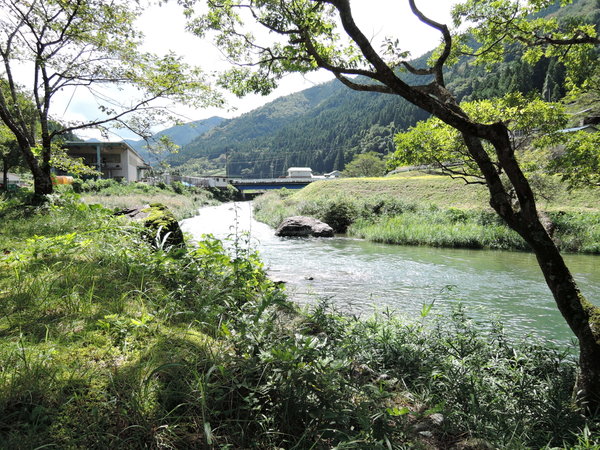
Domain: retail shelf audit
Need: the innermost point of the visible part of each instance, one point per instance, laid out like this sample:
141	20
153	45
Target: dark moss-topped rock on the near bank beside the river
163	230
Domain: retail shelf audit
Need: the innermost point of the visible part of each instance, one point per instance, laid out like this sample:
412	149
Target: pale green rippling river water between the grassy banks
360	277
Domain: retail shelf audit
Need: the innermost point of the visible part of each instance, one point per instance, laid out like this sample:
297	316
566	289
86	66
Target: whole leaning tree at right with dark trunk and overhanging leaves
309	36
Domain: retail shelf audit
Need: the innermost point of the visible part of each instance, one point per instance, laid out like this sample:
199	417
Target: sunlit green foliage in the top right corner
528	27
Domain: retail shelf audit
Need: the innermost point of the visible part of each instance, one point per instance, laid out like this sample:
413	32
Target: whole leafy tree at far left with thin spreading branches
84	46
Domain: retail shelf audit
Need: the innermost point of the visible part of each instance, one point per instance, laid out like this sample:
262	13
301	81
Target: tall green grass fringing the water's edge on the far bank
389	219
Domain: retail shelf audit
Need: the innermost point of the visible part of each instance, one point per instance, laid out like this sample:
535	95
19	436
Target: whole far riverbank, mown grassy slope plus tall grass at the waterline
417	209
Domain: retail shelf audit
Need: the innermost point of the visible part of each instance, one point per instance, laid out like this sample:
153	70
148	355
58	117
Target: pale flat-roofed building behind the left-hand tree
116	160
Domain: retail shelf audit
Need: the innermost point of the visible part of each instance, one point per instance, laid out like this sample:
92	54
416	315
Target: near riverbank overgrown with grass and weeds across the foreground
107	342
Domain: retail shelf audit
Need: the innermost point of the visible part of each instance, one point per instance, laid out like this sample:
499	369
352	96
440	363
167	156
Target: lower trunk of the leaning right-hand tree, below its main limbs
582	317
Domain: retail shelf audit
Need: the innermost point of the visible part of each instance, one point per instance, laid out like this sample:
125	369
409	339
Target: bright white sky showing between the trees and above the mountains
164	29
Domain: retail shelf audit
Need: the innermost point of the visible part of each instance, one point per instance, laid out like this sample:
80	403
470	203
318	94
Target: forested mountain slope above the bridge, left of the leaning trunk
321	127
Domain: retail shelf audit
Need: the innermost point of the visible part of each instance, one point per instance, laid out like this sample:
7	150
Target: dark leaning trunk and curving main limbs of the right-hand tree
521	215
